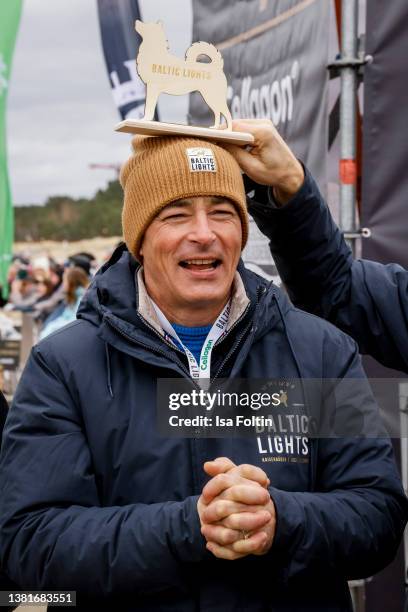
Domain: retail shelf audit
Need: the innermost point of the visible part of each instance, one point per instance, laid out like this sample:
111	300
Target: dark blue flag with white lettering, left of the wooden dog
120	46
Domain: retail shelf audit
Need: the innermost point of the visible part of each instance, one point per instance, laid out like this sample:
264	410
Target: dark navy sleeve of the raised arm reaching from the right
367	300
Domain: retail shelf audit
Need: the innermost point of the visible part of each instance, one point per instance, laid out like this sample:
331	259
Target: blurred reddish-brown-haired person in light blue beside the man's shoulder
75	281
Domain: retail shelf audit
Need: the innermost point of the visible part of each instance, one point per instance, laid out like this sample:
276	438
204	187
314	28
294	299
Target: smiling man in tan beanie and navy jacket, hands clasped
94	500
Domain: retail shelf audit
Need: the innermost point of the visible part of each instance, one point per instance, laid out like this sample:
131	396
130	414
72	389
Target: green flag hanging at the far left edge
10	11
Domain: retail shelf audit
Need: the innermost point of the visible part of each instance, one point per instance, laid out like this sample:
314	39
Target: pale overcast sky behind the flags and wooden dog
60	111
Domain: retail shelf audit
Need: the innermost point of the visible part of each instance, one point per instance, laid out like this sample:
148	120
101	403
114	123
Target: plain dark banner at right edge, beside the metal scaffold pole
385	144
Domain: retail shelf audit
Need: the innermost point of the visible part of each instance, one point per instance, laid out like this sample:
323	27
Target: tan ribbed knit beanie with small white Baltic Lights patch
167	168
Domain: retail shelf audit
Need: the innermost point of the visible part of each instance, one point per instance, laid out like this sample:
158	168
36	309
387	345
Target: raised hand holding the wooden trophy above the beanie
269	161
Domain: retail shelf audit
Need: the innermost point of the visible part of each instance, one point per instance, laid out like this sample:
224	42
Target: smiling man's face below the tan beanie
190	253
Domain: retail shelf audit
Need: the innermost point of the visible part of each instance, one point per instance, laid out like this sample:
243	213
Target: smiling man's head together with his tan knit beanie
188	226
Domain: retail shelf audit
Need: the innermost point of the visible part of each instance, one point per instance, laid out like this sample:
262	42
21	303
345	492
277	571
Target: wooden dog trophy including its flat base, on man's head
166	73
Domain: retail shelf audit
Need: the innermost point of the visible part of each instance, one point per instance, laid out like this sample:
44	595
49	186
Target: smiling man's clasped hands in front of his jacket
236	511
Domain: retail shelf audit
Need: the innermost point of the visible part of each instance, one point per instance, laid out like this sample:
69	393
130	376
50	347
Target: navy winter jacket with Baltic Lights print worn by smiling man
94	500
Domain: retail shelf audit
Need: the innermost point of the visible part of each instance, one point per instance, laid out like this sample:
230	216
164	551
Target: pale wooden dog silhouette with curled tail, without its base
163	72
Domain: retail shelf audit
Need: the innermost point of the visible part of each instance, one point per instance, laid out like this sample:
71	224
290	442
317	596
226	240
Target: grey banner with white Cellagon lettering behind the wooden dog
275	56
